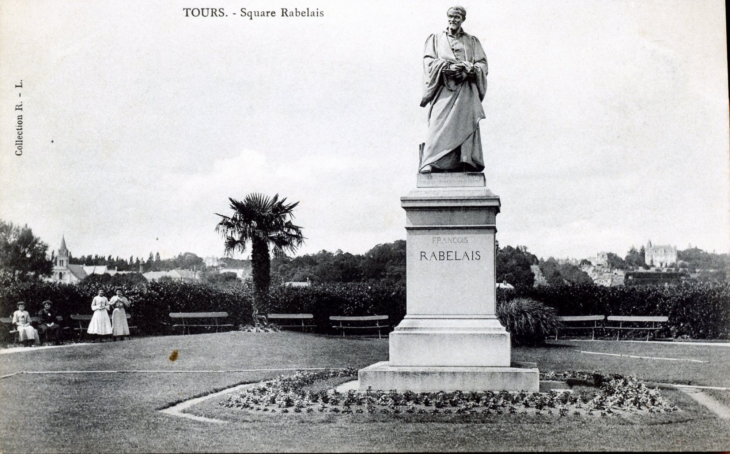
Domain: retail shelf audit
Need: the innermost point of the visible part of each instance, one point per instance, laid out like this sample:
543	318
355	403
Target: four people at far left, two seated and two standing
100	325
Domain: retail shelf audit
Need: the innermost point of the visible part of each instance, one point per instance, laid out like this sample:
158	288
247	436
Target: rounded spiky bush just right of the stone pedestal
528	321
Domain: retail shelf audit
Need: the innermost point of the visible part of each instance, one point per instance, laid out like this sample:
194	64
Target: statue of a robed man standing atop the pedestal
455	68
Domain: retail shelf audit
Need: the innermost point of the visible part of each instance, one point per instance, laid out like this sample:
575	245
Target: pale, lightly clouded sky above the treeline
606	121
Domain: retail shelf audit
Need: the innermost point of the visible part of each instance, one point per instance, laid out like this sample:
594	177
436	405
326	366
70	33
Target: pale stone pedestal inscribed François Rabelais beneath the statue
450	338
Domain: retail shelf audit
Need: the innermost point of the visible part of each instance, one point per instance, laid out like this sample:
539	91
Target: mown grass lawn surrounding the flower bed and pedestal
117	412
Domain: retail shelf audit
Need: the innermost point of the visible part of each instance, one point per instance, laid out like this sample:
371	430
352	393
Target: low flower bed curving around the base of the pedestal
593	394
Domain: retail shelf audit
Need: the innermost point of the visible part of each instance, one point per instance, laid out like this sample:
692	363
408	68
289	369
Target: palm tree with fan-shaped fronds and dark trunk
264	222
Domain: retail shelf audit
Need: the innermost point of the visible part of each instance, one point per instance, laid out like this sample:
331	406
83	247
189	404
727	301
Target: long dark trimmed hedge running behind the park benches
695	310
